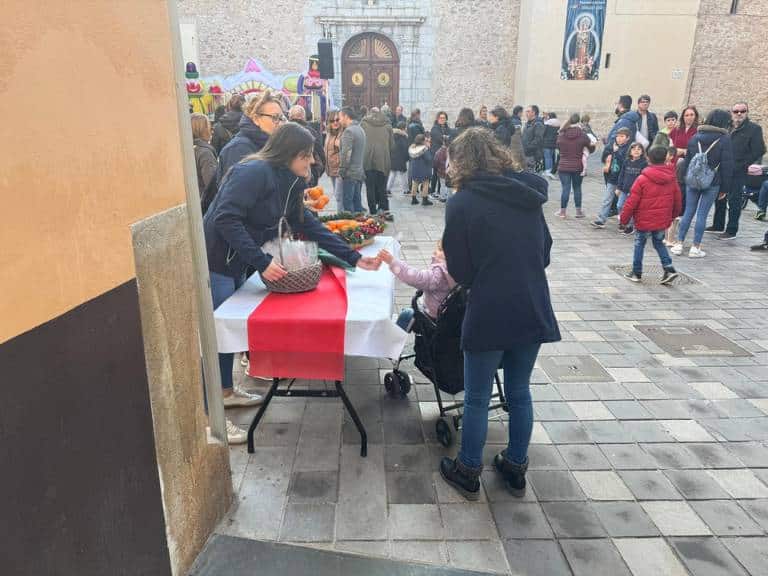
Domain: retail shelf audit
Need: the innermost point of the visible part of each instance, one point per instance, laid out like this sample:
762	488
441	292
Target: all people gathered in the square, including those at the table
254	165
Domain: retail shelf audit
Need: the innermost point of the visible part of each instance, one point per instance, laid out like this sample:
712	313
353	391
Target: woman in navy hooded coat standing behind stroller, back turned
497	245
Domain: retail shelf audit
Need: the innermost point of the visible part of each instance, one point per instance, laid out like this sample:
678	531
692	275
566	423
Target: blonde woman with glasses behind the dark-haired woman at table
261	117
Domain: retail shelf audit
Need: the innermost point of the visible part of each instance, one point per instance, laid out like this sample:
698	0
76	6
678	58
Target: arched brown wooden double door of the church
370	71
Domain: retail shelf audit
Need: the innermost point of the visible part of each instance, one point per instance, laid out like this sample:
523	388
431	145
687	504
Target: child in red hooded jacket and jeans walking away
655	201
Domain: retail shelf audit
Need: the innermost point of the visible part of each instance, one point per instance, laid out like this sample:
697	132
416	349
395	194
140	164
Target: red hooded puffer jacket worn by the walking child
655	199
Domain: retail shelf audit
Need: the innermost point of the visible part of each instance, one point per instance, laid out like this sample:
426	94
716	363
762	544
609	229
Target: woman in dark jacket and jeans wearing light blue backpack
713	133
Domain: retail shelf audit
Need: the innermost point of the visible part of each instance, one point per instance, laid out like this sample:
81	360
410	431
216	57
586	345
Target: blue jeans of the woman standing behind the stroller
479	369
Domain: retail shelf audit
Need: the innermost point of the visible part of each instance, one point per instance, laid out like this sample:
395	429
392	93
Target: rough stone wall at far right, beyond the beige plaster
729	58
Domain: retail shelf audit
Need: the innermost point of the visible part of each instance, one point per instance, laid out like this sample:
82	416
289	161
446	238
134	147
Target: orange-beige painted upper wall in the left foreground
90	144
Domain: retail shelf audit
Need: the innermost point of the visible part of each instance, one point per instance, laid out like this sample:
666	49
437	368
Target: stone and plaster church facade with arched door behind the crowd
564	55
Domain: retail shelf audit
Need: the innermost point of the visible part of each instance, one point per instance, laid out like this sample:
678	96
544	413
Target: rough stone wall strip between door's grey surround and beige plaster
475	53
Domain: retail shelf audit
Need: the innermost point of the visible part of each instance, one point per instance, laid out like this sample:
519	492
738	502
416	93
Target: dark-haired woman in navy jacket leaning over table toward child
245	214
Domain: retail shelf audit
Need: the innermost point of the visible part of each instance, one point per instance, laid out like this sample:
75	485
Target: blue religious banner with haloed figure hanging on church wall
584	25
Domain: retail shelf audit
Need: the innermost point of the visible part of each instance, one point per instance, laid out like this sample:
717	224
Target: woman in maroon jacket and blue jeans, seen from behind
571	141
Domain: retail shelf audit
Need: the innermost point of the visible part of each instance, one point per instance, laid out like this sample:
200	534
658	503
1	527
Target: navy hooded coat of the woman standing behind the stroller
497	244
